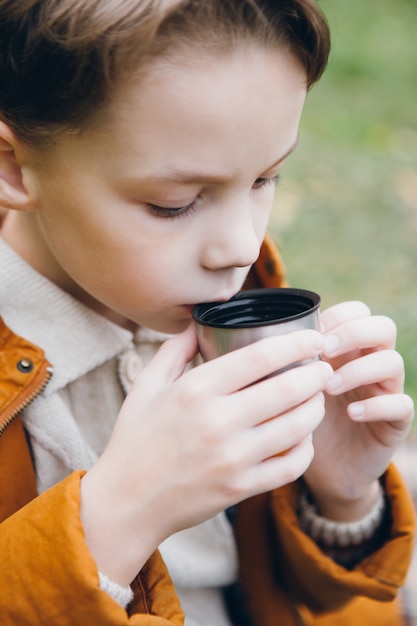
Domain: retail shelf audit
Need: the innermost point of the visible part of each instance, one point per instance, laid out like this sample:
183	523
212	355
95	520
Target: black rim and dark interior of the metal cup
257	307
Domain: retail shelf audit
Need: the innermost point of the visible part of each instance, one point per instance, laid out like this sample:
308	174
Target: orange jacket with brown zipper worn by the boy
48	577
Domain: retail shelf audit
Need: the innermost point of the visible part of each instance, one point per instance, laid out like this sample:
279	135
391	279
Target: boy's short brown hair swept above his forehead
60	59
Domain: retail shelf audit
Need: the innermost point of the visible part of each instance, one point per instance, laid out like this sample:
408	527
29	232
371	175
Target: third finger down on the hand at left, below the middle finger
285	431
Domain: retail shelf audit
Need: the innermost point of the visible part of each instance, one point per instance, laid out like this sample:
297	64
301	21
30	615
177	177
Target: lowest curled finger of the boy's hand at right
397	408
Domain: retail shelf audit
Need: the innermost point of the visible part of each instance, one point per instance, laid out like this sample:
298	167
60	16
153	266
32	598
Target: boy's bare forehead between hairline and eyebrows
210	108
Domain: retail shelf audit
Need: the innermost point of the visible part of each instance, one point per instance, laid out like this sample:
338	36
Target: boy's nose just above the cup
231	240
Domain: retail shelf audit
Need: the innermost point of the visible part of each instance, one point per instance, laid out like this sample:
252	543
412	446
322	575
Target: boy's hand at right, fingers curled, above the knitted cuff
367	414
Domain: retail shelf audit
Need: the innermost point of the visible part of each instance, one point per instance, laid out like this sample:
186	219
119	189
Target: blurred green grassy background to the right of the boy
345	214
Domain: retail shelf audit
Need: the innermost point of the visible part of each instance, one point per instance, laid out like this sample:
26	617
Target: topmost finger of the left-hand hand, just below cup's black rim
244	366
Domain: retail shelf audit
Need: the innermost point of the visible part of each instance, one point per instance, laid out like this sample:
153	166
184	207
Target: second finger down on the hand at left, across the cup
280	394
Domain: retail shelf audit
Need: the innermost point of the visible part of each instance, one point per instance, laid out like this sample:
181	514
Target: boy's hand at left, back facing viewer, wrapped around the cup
187	445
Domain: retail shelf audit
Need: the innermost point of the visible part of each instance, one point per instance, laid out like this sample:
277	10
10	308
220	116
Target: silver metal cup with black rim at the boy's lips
252	315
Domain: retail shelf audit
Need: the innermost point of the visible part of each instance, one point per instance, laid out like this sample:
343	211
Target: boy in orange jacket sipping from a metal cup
140	144
